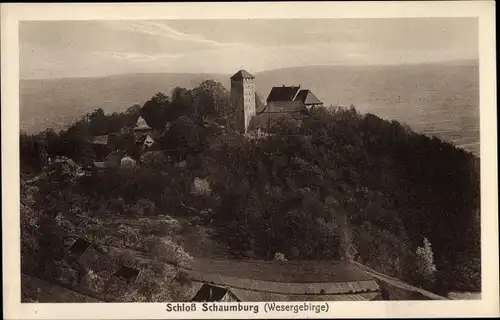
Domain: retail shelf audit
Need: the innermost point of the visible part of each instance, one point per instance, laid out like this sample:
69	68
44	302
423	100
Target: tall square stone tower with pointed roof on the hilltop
243	96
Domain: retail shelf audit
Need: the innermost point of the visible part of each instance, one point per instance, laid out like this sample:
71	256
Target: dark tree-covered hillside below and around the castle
335	185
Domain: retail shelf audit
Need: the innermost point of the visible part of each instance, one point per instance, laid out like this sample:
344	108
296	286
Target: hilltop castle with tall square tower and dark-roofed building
283	103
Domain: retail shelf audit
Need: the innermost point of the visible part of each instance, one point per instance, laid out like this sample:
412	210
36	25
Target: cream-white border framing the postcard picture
12	13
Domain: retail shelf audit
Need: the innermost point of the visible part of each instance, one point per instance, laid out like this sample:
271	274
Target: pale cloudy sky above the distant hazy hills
58	49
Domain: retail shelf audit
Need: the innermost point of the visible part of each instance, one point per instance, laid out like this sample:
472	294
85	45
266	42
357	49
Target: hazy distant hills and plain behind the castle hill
435	99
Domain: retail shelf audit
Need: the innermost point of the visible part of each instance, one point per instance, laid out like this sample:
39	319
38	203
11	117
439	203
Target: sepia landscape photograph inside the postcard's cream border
249	160
